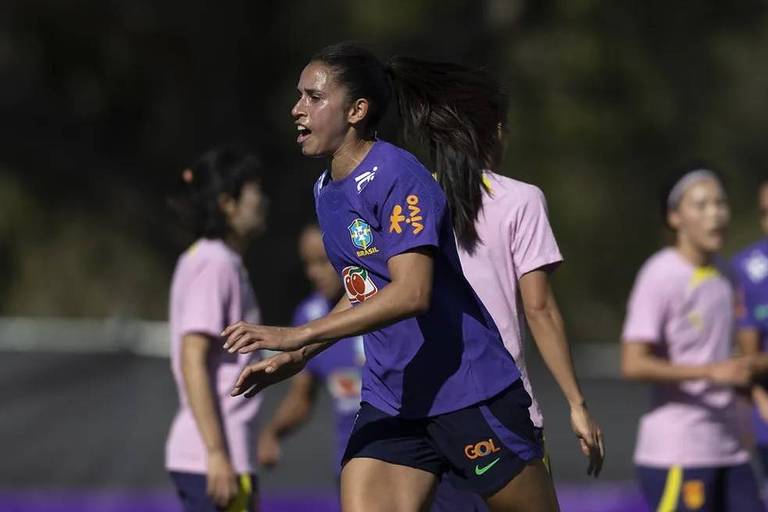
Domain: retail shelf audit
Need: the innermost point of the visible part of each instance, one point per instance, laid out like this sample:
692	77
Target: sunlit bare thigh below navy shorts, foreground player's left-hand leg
372	485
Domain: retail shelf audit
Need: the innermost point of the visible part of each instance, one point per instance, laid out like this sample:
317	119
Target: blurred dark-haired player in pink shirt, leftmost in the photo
210	444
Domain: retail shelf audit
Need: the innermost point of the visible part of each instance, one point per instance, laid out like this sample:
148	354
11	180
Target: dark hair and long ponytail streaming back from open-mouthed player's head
457	111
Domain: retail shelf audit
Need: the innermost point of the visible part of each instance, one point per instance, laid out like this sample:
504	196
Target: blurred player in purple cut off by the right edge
750	268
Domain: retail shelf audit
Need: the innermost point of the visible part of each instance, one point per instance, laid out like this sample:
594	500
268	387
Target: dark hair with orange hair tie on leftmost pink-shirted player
225	170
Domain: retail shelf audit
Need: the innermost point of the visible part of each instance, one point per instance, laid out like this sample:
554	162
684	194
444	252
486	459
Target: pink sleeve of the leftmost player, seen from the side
210	297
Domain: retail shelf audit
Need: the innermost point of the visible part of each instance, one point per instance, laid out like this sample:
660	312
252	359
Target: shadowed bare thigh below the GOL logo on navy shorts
530	491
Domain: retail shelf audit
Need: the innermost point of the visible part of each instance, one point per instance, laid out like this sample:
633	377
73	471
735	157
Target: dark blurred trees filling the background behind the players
103	104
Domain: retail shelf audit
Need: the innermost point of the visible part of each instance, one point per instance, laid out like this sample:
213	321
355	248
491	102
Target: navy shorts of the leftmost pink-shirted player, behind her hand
191	488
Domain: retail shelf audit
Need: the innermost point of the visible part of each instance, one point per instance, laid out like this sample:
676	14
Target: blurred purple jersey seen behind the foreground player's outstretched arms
339	368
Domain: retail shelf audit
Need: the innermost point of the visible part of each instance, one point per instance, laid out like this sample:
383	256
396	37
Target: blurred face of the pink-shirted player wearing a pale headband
702	216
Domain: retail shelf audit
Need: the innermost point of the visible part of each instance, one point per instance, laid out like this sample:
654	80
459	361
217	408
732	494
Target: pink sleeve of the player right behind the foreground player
533	243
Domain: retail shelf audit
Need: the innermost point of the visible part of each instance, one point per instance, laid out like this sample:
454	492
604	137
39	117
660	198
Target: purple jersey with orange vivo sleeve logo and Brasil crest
451	356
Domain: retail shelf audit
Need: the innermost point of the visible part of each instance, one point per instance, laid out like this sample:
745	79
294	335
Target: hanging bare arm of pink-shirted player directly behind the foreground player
548	331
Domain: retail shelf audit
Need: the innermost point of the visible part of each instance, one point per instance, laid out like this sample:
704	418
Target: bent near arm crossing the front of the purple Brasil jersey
408	294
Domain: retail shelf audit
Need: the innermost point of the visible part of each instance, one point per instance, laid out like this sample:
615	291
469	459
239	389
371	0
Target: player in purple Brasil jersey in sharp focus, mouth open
440	392
